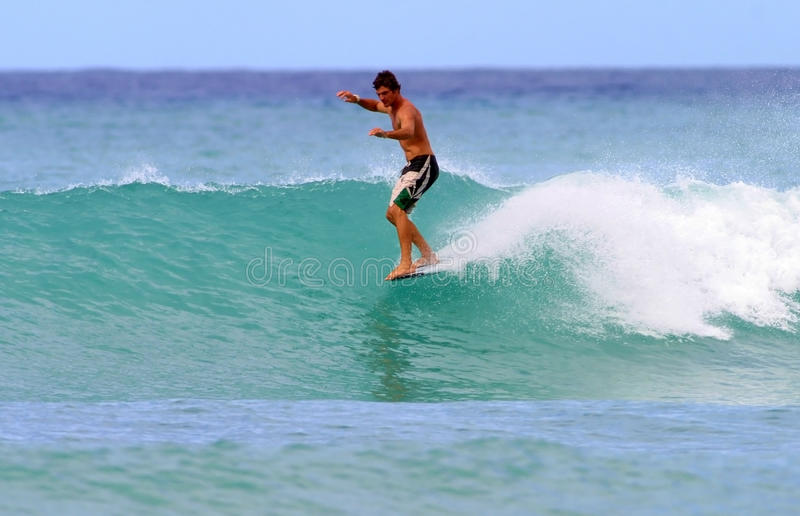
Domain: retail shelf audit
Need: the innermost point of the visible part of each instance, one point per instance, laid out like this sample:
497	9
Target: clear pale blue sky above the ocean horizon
199	34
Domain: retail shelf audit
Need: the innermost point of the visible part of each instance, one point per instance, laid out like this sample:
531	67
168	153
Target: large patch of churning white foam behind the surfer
659	260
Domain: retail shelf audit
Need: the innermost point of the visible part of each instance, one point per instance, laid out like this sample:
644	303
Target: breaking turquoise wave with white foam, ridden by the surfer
581	278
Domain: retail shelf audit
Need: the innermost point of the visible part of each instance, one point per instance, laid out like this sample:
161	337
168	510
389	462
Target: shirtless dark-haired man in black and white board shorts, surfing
420	171
